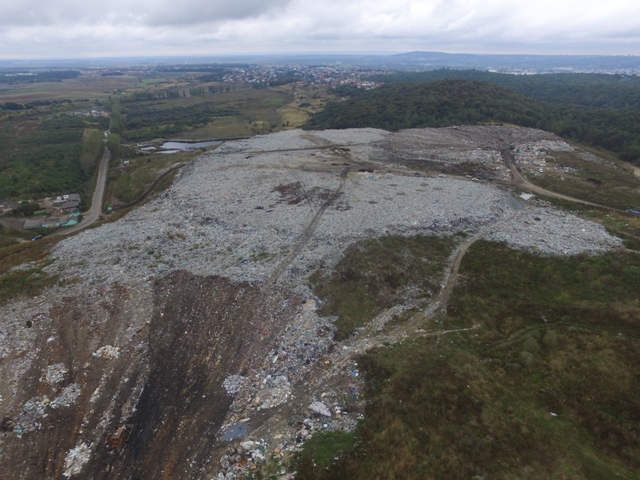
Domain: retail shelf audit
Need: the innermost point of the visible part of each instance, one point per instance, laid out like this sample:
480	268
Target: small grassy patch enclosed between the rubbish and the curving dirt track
379	273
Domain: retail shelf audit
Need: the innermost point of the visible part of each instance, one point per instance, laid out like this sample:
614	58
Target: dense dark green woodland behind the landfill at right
449	102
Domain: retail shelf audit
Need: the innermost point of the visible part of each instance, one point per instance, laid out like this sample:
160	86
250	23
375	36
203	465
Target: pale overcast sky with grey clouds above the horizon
84	28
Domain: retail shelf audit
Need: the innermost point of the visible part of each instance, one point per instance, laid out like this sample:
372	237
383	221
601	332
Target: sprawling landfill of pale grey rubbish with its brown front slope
183	340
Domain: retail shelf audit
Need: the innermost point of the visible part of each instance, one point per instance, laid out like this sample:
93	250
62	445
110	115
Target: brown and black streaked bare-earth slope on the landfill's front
165	385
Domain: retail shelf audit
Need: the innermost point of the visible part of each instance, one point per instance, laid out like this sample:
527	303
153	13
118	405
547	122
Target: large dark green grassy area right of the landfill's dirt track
545	387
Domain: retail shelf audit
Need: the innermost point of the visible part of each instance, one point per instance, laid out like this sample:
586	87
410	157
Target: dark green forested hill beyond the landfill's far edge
447	102
